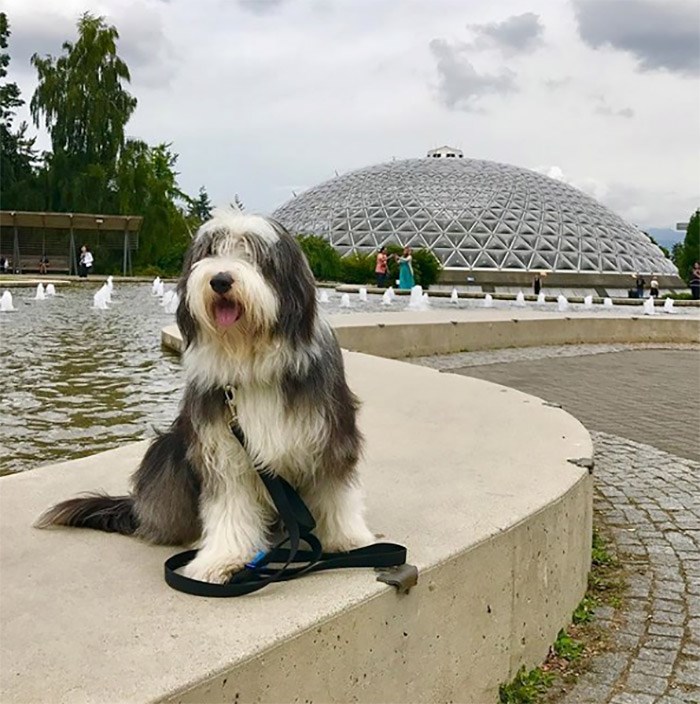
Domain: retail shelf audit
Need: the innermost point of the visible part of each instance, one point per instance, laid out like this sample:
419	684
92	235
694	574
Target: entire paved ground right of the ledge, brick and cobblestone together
648	500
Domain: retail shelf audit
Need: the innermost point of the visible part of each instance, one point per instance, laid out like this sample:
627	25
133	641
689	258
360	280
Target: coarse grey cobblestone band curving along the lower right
650	502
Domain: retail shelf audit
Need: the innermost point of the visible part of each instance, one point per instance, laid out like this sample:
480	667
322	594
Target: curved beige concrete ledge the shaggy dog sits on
474	478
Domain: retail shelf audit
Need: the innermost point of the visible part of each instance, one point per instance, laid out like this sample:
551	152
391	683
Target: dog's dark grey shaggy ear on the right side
288	271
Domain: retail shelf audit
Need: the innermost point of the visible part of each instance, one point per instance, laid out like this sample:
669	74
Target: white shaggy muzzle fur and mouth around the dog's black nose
248	309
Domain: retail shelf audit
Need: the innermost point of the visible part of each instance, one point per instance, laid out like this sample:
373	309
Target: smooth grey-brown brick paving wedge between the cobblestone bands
650	396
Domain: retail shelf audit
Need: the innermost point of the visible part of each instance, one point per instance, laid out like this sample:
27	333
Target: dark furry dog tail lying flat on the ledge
112	514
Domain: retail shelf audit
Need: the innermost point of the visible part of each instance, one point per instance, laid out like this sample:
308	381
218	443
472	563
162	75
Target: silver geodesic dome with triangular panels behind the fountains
473	214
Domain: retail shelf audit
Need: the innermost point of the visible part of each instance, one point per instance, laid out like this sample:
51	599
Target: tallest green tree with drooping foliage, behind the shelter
82	102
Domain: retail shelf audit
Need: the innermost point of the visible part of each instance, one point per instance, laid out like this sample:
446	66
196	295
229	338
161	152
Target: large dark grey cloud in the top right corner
660	34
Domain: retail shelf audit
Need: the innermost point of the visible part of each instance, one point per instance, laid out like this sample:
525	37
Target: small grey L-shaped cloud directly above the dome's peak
460	86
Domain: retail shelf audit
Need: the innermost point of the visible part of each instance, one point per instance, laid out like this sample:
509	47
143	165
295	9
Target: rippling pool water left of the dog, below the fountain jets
76	380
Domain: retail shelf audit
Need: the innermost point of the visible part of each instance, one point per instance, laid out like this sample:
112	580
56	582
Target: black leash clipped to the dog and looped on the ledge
283	563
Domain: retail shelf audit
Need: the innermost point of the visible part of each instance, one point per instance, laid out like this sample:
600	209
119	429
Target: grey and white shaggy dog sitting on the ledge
248	317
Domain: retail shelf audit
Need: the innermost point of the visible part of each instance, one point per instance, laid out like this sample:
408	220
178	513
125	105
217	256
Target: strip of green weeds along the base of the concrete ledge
579	642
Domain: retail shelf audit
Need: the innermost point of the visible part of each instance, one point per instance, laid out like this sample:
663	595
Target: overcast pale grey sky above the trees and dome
263	97
